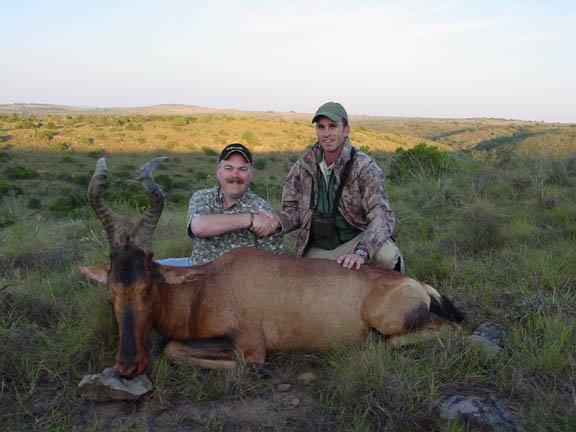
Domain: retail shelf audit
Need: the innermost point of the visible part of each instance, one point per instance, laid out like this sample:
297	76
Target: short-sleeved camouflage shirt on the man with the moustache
210	201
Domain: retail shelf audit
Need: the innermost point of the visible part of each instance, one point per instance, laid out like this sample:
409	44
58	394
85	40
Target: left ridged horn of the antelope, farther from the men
95	189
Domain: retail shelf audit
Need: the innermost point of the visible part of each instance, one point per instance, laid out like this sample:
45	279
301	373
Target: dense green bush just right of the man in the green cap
420	160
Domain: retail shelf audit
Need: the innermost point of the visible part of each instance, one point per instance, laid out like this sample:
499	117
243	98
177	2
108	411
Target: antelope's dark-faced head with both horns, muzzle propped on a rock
129	277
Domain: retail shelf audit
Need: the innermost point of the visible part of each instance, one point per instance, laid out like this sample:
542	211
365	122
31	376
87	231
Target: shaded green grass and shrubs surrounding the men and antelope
494	230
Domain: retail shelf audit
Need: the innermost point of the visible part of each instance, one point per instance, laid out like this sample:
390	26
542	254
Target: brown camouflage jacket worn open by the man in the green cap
363	202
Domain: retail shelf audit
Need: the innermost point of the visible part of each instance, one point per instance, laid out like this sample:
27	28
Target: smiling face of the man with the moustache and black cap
234	175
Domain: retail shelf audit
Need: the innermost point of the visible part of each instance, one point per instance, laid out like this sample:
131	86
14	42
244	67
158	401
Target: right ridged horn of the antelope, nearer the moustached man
144	230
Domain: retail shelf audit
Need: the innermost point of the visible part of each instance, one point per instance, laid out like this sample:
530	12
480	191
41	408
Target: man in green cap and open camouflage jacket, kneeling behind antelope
366	218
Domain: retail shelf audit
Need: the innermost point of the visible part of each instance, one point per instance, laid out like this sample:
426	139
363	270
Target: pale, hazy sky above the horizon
436	59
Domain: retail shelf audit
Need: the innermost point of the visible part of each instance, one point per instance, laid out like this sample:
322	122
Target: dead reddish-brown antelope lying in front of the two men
247	301
